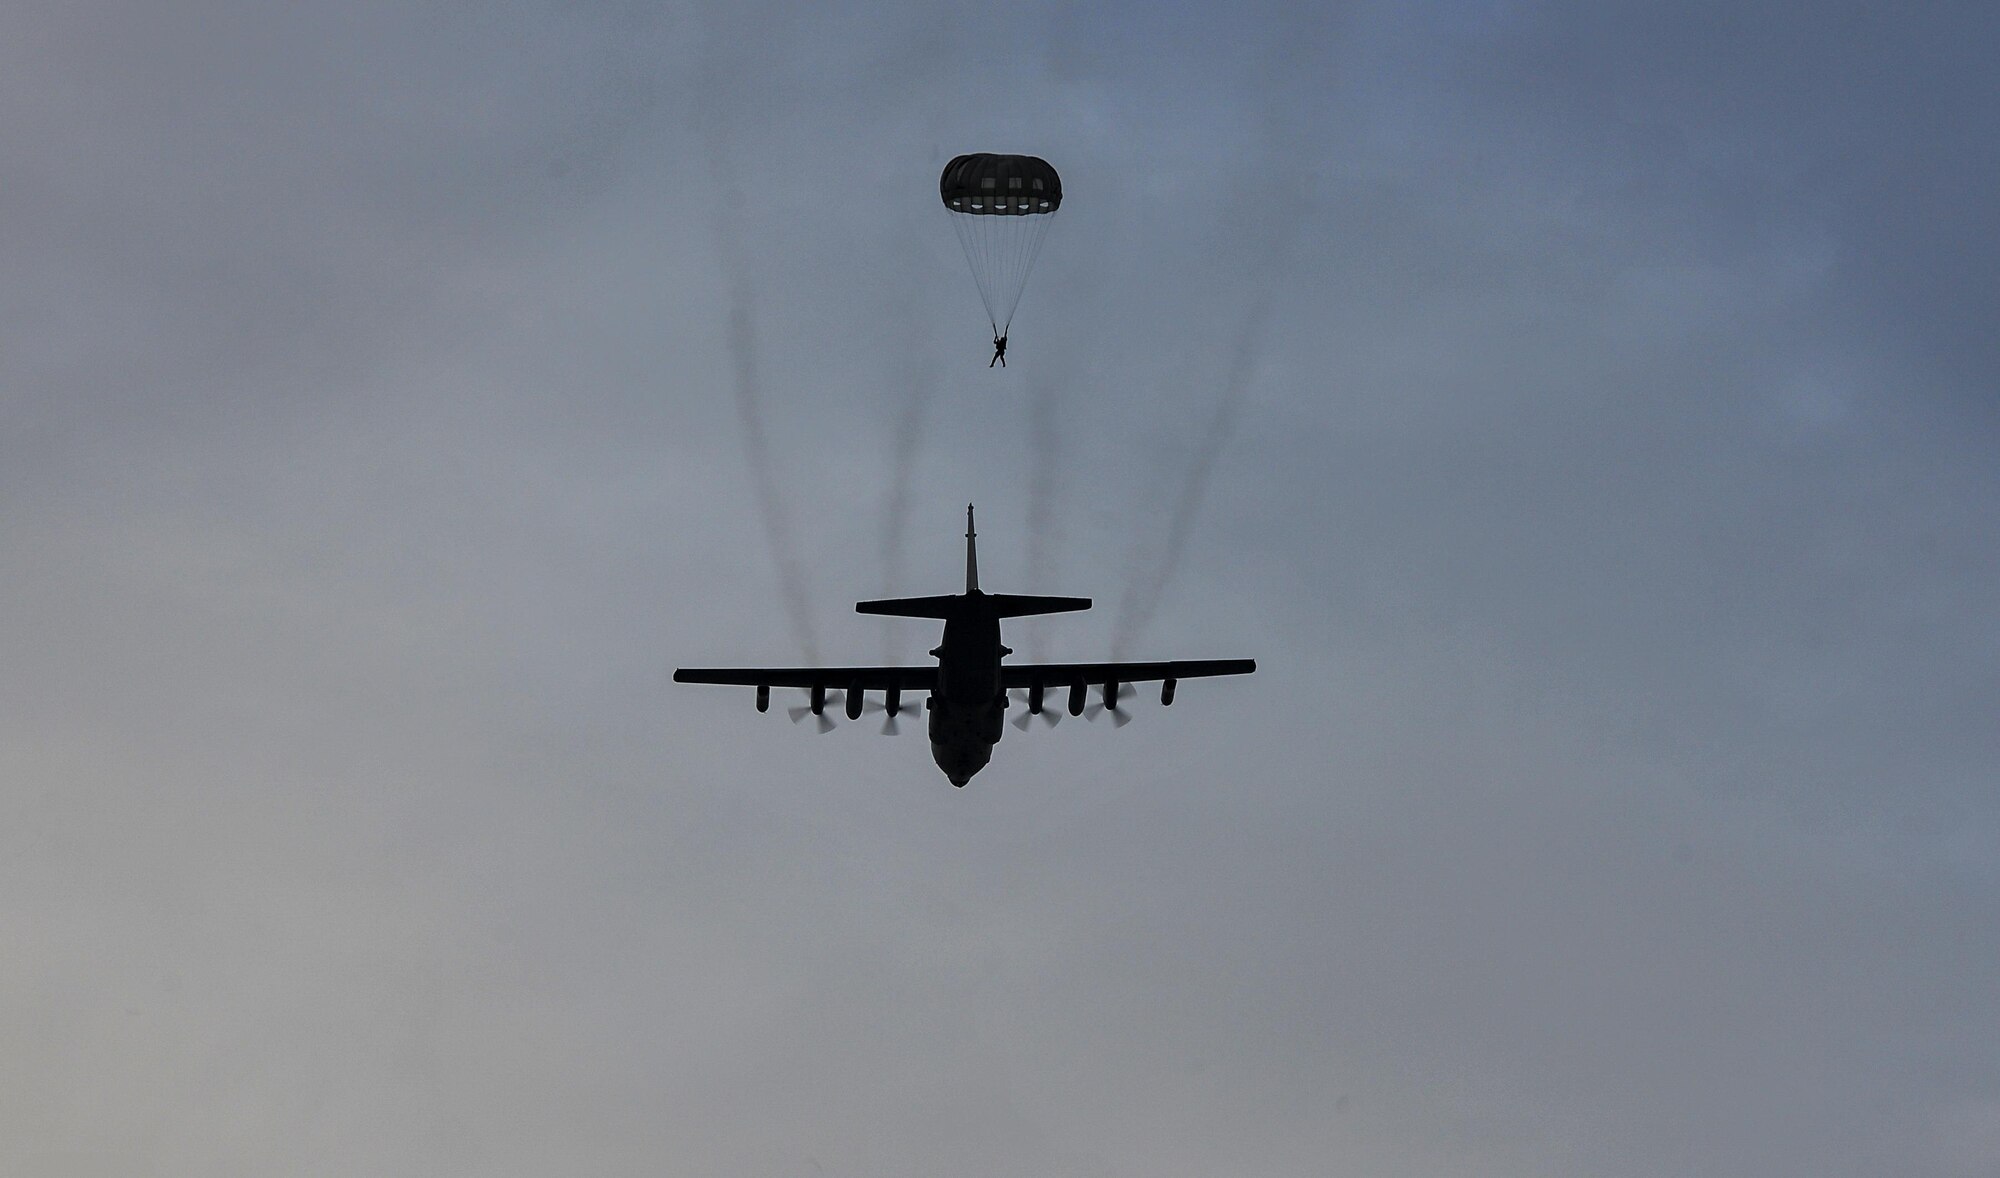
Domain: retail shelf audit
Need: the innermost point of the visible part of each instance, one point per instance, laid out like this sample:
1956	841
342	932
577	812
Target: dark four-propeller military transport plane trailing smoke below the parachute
967	693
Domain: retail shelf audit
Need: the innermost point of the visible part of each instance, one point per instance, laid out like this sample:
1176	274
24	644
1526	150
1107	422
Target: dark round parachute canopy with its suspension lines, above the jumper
1001	209
